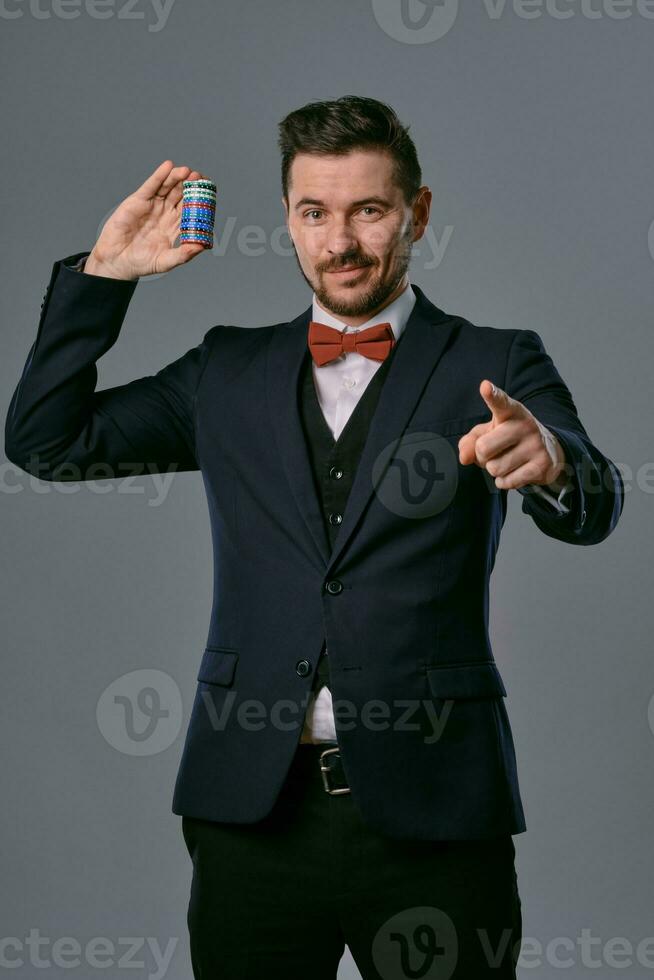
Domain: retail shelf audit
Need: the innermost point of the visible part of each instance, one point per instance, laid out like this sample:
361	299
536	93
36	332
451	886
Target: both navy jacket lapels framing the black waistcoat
421	345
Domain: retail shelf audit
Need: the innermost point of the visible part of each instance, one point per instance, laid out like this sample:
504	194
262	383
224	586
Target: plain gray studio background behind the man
534	133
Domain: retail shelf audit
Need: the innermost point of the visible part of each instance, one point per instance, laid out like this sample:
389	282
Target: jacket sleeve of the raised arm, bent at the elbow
58	427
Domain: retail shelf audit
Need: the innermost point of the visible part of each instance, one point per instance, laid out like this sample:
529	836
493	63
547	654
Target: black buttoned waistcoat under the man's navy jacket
334	462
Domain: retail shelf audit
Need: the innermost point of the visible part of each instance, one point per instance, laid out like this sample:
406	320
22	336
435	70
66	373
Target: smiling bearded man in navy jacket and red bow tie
349	773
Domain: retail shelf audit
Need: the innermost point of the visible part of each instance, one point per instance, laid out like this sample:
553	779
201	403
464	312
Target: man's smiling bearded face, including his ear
352	229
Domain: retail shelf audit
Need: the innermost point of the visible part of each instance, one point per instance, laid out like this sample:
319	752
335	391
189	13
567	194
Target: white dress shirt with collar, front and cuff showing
339	385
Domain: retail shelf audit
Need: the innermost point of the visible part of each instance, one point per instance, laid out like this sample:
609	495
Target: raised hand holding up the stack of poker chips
137	240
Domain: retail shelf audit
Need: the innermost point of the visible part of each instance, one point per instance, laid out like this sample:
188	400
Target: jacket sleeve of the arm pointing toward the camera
596	500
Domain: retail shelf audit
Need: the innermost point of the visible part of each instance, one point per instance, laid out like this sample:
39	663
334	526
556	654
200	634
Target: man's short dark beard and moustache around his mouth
369	298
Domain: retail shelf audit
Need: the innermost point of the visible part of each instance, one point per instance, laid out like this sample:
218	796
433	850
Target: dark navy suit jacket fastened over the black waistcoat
402	603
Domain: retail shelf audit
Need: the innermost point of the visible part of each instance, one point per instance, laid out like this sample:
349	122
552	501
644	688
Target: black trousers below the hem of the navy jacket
281	898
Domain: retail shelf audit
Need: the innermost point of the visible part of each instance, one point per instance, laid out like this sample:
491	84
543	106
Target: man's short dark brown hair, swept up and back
352	122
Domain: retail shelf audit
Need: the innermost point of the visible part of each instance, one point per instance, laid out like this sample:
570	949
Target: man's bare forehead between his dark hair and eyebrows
342	177
